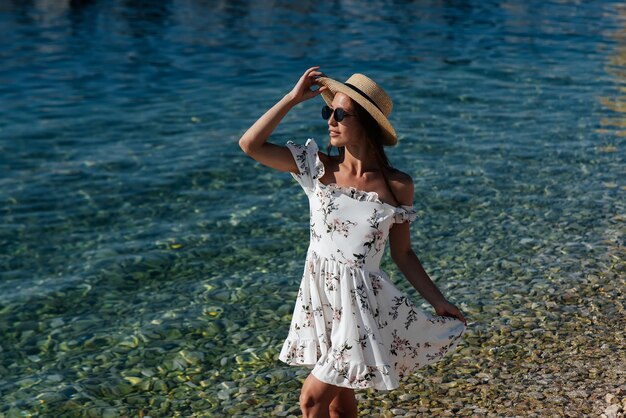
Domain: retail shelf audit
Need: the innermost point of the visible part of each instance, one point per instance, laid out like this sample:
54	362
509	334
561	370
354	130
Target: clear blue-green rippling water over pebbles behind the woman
134	229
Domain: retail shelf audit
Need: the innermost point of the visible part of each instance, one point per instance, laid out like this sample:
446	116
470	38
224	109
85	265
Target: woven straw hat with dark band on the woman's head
369	95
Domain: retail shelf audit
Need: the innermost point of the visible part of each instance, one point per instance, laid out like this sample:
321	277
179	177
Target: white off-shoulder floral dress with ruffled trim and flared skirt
350	322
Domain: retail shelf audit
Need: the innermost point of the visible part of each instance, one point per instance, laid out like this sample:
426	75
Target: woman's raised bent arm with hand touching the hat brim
254	140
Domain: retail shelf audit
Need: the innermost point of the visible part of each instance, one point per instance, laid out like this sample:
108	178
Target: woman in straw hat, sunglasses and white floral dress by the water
350	323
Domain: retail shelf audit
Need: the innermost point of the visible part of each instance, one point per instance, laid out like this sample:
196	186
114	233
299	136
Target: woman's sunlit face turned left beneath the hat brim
349	130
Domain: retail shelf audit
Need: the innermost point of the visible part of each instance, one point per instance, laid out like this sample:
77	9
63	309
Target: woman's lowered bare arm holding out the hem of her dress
408	263
